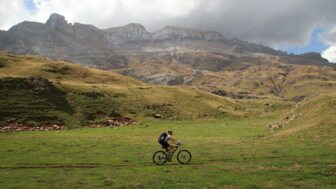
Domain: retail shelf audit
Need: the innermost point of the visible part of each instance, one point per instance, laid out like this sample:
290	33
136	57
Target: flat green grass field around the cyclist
227	153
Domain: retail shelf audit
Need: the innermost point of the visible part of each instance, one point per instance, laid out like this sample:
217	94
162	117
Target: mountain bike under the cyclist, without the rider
183	156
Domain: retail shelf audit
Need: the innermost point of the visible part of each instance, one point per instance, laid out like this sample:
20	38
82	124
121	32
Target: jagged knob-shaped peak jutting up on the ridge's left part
58	22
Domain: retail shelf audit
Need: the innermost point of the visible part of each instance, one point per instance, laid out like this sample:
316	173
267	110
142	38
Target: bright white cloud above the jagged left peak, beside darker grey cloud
109	13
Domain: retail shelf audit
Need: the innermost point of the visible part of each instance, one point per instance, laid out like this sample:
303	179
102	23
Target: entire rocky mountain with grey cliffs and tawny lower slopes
170	56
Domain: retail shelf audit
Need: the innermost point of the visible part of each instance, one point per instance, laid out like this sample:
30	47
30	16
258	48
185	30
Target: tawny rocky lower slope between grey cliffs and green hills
228	75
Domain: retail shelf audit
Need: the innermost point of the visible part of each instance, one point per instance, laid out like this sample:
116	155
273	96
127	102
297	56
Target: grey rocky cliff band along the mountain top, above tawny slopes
89	45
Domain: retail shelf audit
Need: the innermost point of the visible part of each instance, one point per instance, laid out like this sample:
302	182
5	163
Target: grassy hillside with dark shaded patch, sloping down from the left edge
38	90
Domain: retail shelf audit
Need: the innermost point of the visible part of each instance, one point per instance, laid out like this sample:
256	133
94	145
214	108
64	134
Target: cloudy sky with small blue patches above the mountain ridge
294	26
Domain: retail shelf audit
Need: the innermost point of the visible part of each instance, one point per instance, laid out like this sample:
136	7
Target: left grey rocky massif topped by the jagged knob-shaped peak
58	39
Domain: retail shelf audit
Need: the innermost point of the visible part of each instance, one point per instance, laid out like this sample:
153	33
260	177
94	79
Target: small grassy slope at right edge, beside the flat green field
313	117
